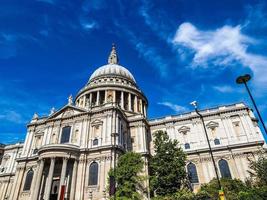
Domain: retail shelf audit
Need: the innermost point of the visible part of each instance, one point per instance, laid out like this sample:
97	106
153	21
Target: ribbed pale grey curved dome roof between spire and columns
112	69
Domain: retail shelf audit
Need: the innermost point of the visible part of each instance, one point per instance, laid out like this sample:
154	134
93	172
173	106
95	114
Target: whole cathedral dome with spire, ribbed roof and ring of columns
112	83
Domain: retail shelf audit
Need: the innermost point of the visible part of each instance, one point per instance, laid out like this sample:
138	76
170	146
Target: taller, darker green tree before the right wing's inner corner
167	166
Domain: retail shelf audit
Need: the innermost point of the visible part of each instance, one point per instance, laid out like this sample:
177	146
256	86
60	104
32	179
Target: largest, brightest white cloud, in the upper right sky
221	47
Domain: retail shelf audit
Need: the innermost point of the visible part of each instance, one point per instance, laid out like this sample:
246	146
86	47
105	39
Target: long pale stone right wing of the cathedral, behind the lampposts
234	137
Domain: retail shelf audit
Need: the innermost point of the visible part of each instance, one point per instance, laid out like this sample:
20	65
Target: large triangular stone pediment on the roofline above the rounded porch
67	111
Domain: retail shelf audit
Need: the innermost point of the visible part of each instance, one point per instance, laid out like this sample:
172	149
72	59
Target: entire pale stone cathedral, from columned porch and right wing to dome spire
71	151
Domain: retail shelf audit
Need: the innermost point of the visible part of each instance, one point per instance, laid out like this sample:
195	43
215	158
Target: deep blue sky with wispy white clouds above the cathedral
178	51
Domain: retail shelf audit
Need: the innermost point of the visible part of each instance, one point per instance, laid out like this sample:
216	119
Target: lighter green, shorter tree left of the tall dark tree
127	176
